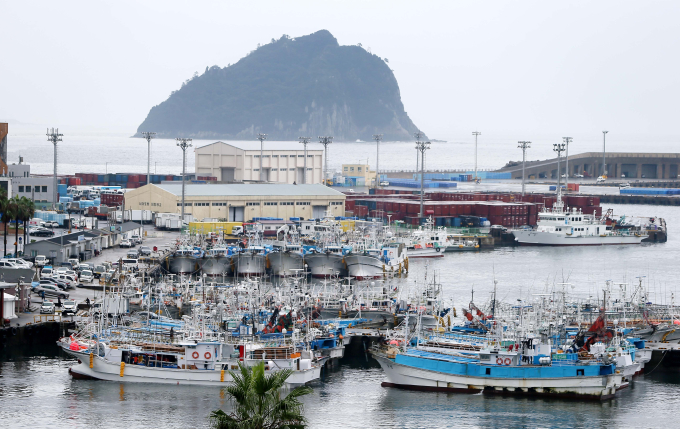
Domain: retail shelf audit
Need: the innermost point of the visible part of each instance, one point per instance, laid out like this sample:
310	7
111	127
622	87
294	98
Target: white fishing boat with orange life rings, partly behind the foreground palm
188	363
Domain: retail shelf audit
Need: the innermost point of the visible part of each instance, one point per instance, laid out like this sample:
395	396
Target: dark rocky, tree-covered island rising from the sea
307	86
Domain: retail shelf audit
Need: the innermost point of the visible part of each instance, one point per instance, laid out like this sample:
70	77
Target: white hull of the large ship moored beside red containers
539	238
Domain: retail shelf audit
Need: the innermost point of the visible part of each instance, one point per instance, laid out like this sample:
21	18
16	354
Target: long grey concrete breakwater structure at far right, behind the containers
618	165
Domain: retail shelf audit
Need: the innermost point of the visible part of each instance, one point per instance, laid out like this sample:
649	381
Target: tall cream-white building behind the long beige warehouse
282	162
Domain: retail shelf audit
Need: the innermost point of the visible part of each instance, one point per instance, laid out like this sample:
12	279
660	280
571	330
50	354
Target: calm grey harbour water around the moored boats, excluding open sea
36	390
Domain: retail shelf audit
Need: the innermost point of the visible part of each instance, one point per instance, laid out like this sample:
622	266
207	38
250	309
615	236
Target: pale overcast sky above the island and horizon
502	67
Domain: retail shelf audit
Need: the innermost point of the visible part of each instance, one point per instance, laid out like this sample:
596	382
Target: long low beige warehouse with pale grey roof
239	202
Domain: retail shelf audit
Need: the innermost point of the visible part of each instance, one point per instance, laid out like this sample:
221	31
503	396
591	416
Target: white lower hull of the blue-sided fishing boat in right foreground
408	377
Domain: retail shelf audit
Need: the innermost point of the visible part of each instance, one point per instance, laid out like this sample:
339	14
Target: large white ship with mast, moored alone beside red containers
560	226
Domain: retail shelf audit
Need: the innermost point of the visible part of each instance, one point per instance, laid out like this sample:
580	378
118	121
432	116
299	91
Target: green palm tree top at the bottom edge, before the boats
257	401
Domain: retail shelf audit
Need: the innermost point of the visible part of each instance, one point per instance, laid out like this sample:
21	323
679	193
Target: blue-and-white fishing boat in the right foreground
528	371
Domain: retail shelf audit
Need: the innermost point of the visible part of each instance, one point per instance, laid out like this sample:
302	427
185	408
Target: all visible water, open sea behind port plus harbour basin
37	391
